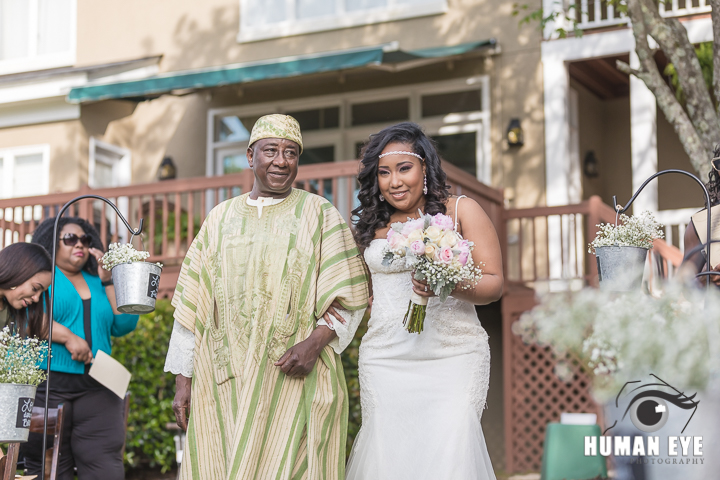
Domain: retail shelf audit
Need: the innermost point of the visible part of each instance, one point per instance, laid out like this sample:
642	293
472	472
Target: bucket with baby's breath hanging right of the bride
621	250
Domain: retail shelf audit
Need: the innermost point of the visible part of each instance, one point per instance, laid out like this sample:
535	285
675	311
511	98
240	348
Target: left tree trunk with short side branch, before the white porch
692	143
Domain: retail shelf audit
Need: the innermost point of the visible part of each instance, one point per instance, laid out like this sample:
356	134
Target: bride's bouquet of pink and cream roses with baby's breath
439	256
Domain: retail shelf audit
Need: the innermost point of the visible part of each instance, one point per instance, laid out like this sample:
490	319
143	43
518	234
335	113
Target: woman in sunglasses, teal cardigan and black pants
86	317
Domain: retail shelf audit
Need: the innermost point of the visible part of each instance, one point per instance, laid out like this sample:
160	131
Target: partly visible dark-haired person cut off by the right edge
696	232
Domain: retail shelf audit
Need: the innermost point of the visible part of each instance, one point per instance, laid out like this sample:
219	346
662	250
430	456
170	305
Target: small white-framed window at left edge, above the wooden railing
24	171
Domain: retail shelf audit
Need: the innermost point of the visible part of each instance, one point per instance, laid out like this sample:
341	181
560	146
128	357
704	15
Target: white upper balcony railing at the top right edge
590	14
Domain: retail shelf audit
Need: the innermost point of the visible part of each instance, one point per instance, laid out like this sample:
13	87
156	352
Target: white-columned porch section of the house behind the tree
604	134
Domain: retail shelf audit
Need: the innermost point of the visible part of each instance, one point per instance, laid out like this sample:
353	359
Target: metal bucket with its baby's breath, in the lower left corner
19	378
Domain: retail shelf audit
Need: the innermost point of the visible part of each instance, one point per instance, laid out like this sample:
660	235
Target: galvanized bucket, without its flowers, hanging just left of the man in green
136	286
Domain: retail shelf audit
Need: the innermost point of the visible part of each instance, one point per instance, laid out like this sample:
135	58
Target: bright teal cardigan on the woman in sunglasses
68	311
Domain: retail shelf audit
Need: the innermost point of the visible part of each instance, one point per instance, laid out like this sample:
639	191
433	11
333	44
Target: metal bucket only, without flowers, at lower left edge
16	402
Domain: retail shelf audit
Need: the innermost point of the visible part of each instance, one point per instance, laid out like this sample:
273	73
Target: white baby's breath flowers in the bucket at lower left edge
20	358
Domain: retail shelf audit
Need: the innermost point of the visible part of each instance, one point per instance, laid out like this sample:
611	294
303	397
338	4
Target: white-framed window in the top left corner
36	34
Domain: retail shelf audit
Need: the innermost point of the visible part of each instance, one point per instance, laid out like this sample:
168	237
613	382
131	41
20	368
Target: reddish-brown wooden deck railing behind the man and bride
173	210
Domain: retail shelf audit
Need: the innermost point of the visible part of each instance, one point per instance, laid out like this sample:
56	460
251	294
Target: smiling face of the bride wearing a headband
400	178
